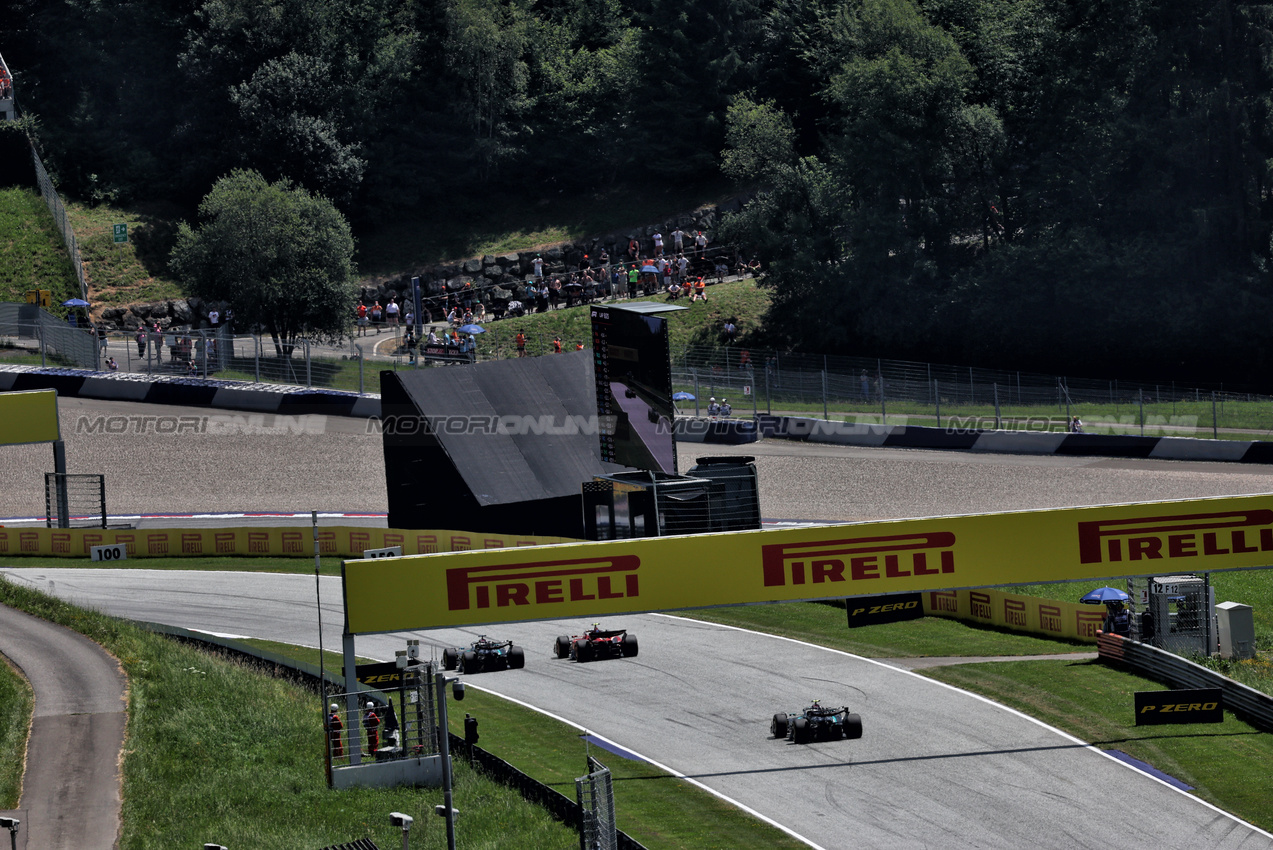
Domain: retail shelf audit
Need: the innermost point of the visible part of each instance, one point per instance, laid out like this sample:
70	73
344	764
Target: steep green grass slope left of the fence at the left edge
32	250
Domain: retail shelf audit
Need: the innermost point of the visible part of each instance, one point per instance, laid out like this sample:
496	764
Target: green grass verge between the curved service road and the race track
221	753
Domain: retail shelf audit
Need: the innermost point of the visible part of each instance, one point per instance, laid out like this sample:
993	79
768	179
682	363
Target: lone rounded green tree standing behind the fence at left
282	258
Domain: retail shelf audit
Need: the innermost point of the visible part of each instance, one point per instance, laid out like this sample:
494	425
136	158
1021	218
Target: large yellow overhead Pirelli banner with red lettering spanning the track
743	568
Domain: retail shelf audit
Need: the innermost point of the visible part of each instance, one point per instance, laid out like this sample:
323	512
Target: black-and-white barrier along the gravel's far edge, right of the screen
921	437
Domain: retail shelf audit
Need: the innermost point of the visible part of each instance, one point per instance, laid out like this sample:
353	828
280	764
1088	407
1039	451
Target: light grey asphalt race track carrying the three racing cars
936	767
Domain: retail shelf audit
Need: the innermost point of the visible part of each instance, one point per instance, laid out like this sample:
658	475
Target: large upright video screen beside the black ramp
635	387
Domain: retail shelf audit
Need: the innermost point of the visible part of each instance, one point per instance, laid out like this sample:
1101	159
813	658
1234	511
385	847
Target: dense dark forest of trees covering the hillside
1080	186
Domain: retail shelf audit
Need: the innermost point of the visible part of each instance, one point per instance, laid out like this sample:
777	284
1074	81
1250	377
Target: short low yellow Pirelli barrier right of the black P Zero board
1018	613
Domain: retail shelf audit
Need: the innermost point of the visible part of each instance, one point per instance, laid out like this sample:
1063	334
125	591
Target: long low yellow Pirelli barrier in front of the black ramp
341	541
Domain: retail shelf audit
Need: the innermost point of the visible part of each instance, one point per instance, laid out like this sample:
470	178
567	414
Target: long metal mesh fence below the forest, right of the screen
876	391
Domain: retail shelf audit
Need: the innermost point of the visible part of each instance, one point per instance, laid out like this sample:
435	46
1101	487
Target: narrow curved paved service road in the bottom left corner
71	796
